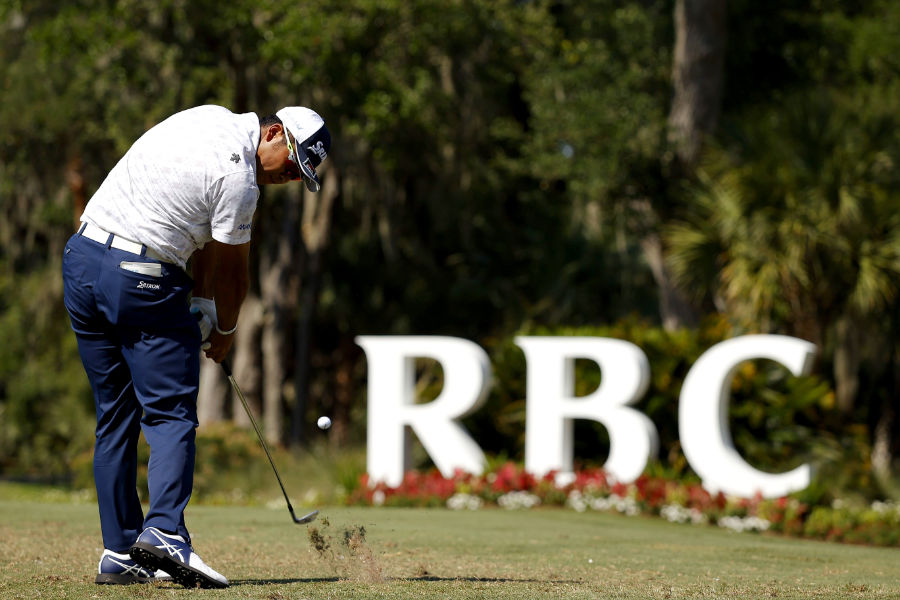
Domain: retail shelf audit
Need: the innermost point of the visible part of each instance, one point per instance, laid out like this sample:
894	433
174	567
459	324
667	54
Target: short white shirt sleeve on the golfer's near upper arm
232	204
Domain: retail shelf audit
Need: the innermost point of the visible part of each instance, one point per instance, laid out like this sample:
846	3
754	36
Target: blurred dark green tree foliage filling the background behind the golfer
497	168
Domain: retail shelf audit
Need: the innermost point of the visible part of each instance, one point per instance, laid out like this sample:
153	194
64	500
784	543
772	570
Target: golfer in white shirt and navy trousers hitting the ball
185	193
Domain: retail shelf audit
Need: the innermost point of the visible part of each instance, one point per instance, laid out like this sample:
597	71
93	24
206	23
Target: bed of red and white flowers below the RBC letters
511	487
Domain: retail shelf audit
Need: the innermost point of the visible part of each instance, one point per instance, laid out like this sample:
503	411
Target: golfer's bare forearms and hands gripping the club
222	271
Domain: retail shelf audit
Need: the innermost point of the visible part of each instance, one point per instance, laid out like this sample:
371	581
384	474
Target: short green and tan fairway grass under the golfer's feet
51	551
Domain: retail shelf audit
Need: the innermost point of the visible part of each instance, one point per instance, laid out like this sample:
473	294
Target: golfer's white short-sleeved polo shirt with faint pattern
186	181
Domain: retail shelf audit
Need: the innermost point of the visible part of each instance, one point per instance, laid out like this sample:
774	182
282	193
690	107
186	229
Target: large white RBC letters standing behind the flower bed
552	407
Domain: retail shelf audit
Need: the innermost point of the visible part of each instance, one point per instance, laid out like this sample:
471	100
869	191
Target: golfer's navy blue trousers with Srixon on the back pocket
140	347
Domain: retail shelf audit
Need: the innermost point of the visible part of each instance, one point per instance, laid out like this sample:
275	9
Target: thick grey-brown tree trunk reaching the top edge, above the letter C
697	71
